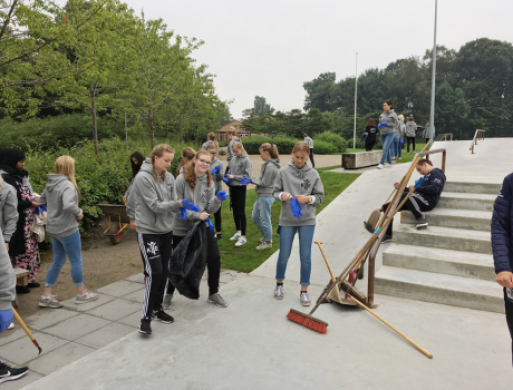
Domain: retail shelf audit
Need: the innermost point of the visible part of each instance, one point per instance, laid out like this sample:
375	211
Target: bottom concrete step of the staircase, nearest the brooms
439	288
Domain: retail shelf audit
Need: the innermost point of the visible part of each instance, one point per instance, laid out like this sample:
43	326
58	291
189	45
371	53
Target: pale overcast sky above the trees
269	48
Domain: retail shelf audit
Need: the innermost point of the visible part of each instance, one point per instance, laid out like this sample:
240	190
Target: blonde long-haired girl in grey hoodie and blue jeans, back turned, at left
61	197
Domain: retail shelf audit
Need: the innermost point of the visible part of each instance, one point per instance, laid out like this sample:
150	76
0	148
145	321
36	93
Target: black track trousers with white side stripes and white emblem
155	252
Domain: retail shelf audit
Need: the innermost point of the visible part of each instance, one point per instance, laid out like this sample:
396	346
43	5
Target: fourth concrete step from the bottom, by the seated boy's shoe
464	219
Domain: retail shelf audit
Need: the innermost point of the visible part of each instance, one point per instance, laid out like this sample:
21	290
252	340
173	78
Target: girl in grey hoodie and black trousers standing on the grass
239	168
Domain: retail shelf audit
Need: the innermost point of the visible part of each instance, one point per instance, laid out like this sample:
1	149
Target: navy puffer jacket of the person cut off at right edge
502	227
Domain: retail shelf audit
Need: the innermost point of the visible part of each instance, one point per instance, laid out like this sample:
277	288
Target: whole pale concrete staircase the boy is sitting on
450	261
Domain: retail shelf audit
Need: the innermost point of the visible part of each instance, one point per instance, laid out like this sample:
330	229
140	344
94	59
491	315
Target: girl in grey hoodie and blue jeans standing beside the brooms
298	182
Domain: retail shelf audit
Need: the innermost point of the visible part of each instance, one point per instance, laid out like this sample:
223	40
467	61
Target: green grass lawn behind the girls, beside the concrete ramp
246	258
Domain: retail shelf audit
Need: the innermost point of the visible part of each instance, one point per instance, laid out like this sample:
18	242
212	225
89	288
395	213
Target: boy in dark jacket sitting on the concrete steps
424	198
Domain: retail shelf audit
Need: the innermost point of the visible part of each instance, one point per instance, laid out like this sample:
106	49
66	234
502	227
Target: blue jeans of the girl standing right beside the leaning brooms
287	234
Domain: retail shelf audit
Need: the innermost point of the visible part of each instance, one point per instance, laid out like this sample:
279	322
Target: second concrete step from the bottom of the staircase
441	261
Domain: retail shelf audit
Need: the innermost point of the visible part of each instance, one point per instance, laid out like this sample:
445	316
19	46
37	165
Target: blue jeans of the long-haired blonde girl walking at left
69	246
